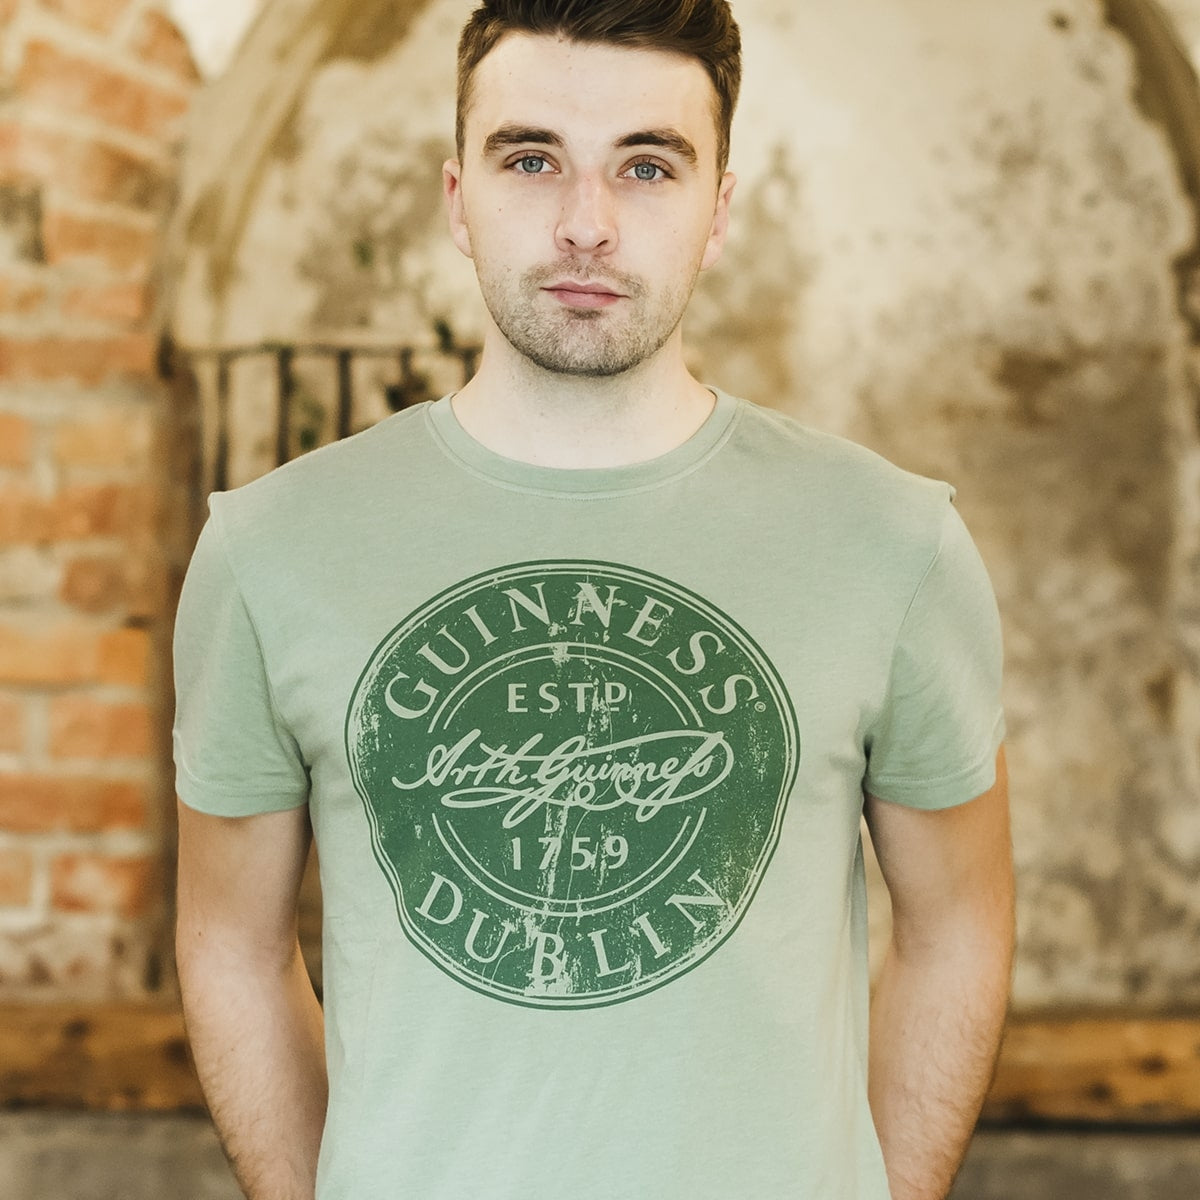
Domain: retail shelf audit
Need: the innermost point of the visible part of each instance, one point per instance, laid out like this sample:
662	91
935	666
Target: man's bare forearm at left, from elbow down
257	1039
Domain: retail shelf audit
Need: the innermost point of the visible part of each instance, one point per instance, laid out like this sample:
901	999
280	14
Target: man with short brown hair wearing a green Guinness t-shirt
580	677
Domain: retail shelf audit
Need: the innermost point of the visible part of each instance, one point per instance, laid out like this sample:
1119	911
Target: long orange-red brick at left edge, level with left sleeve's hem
67	805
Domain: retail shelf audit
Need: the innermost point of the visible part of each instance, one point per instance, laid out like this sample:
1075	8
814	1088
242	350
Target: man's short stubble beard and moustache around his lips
593	344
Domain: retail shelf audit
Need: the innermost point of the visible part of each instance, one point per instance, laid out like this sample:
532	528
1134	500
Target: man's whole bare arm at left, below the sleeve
254	1021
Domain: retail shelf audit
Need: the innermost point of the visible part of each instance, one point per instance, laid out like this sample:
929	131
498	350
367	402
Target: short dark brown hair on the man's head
701	29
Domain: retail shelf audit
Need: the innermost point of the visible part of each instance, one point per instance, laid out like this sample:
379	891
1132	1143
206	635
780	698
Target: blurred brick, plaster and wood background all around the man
965	236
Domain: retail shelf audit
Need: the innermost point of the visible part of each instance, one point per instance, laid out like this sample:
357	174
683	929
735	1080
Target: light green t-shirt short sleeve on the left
233	754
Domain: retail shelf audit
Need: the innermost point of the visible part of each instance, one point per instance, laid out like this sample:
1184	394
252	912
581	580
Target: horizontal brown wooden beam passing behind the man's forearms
1100	1070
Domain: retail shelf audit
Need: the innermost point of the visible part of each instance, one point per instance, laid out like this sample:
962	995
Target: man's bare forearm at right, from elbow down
937	1023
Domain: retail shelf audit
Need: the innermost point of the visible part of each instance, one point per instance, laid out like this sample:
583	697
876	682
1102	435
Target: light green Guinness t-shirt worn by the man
585	755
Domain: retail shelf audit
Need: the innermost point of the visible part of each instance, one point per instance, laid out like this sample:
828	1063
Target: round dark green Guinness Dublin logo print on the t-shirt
575	776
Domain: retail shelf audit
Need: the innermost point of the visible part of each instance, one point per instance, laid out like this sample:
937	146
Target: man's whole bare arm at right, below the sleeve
940	1004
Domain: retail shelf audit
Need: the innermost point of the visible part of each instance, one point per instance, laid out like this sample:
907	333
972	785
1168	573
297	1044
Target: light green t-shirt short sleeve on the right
934	743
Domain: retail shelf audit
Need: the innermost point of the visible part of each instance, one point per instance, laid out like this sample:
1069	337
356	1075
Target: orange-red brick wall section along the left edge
92	99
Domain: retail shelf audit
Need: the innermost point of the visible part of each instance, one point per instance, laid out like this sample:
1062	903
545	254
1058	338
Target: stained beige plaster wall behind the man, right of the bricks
956	242
